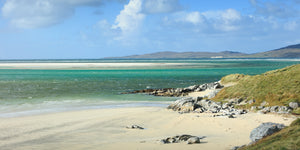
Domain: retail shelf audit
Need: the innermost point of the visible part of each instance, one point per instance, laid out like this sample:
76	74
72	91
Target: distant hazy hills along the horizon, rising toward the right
292	51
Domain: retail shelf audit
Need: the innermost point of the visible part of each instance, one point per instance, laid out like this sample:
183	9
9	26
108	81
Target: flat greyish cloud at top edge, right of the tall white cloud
160	6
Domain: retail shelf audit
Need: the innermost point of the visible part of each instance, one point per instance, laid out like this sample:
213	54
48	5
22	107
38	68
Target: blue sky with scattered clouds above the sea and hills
91	29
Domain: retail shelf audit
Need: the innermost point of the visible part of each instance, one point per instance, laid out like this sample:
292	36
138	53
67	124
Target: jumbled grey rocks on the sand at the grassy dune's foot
200	105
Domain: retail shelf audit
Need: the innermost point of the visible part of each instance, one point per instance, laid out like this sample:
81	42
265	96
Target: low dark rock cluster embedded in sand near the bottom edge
182	138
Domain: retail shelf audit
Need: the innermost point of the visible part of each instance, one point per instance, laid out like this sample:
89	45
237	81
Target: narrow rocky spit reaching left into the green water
176	92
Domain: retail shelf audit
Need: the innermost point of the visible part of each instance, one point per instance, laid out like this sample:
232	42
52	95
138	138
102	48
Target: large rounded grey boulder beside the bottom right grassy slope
265	129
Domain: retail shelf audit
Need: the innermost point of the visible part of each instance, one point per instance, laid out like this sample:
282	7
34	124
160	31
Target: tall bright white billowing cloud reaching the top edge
130	18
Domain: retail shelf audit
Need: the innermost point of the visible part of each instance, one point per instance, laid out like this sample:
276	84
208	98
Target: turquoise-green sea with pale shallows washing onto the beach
31	91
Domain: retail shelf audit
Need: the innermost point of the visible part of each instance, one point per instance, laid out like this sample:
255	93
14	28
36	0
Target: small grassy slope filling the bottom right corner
286	139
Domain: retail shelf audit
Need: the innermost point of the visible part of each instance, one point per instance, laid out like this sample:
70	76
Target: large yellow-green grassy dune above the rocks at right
277	87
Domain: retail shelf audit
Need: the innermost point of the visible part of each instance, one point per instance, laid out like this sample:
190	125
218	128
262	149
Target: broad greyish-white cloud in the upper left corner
42	13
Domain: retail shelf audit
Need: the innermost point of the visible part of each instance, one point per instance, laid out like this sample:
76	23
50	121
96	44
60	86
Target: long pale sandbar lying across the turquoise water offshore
83	65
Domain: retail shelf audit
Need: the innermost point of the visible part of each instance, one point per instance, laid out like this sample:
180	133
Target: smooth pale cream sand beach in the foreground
105	129
